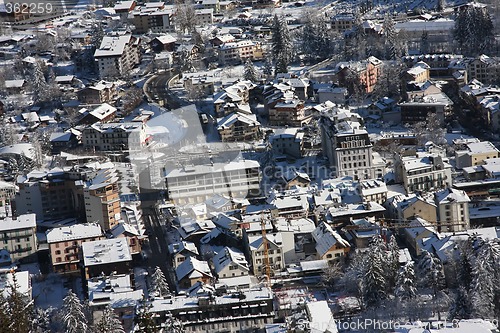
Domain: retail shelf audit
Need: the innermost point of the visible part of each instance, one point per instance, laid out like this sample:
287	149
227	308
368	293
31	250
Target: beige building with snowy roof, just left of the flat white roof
65	242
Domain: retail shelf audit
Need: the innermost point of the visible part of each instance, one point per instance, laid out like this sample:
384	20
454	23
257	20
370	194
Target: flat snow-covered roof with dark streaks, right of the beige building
105	251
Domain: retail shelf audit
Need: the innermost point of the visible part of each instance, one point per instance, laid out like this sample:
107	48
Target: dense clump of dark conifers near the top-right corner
474	31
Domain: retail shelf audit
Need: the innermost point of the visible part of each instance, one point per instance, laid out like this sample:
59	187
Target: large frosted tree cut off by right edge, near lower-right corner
485	291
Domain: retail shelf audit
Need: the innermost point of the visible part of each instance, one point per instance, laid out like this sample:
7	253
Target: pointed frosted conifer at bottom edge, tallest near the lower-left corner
73	314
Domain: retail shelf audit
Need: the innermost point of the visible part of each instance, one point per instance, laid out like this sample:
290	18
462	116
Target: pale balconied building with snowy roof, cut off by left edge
18	236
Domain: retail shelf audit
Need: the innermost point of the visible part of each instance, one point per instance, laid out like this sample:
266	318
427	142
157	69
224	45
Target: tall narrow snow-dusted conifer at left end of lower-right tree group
374	284
